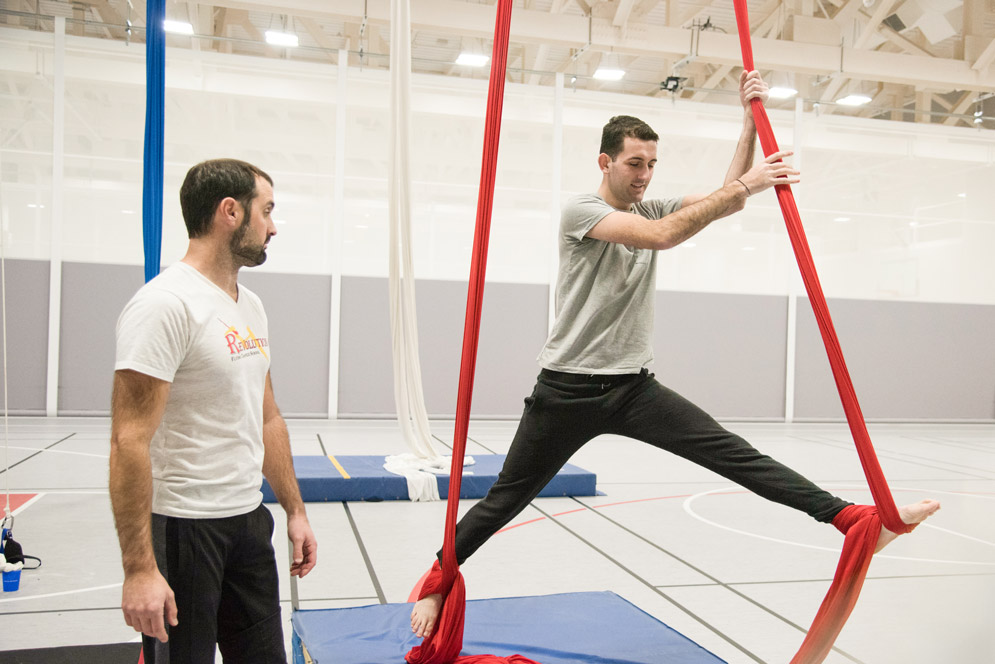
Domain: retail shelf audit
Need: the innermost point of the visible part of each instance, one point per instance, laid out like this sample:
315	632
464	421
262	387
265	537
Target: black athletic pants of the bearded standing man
223	574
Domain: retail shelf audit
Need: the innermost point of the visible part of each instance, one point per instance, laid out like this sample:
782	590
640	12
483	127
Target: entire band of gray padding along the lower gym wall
908	360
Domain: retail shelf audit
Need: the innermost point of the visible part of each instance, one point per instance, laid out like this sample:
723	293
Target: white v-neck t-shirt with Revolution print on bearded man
207	454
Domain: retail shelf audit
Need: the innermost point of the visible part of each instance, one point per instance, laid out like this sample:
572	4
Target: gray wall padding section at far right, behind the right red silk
907	360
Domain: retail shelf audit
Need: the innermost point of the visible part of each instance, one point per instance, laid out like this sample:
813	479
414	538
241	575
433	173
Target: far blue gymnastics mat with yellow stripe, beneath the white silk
353	478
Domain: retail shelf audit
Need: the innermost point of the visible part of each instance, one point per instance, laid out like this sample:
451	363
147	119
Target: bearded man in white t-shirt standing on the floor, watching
194	428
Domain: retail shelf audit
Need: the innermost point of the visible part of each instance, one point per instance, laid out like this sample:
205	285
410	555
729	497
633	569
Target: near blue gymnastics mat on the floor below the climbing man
571	628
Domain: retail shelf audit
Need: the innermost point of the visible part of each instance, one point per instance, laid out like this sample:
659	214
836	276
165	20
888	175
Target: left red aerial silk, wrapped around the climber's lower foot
443	645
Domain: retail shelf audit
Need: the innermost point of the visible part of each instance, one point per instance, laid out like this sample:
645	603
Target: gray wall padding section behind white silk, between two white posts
513	329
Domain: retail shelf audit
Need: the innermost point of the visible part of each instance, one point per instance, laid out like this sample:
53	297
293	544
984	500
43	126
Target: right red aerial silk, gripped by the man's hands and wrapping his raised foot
862	524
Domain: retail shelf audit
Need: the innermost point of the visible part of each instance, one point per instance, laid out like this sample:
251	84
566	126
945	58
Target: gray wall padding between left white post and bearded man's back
93	296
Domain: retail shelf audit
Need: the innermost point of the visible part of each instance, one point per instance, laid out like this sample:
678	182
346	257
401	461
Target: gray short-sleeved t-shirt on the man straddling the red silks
604	294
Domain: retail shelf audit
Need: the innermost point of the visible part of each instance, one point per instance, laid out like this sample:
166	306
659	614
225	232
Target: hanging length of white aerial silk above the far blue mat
408	394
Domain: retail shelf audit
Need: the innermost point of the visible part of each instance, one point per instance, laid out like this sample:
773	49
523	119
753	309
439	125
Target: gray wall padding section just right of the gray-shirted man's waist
726	353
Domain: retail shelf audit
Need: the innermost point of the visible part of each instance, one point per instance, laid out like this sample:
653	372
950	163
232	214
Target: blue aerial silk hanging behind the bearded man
155	93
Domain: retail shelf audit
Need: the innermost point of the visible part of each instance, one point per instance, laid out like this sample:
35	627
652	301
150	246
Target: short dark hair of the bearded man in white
210	182
